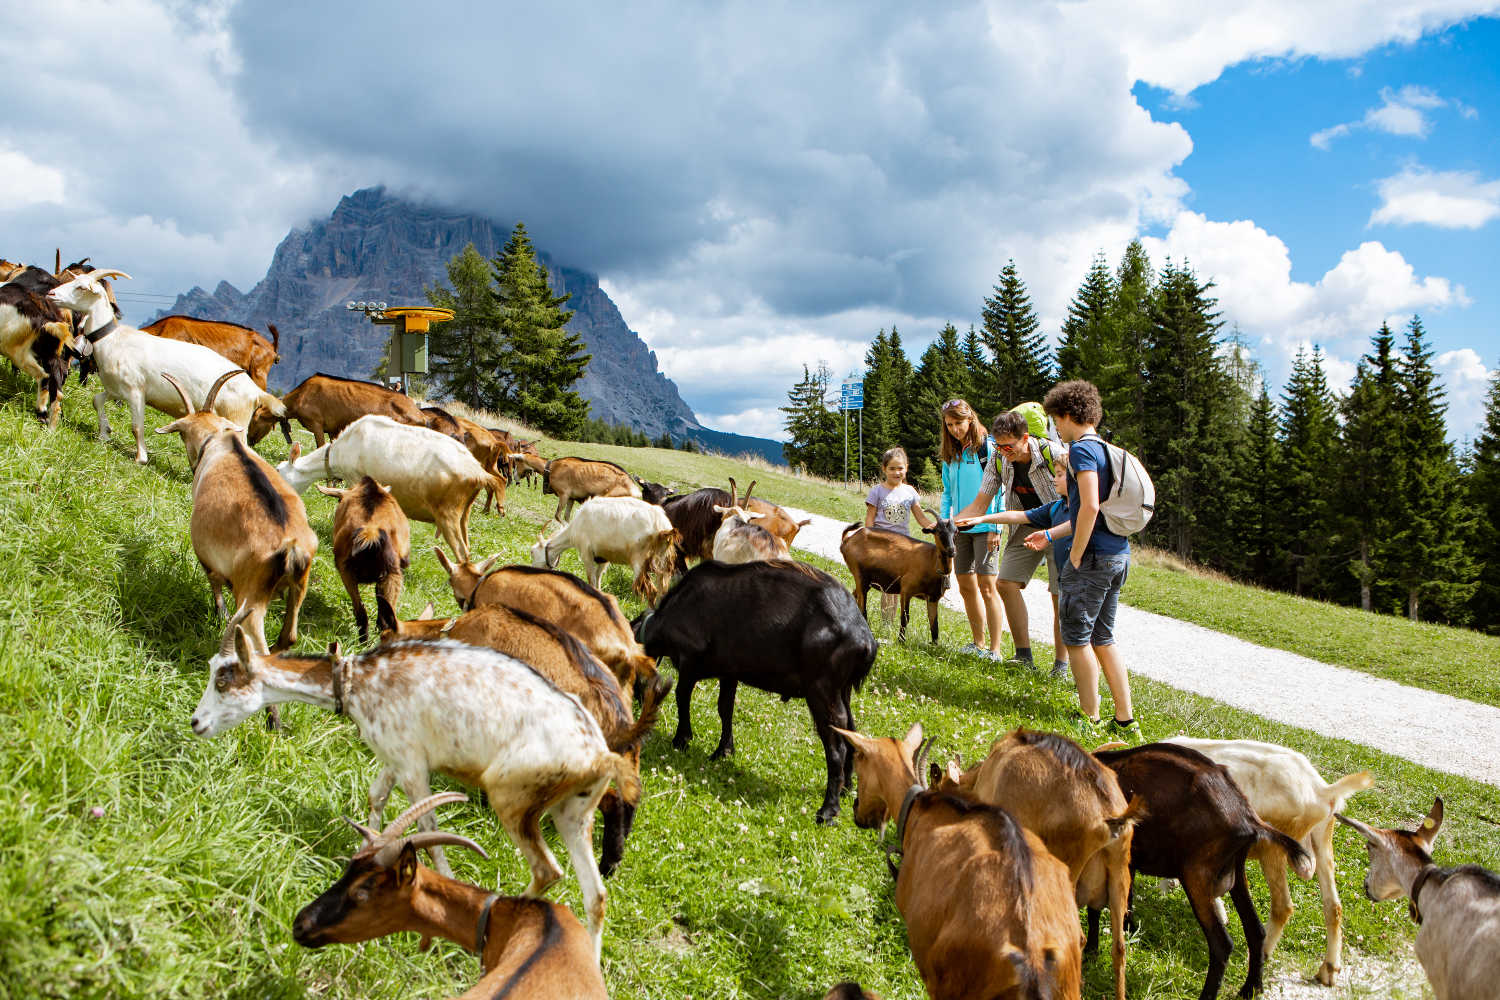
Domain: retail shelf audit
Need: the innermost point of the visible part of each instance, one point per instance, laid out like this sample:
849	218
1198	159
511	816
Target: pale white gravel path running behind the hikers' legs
1435	731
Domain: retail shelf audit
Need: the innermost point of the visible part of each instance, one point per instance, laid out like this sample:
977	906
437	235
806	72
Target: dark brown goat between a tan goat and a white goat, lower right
1198	830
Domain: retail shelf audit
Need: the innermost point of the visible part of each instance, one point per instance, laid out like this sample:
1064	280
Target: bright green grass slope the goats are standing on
140	861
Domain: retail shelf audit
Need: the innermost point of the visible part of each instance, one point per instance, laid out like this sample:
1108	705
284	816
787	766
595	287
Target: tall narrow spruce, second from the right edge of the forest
1435	564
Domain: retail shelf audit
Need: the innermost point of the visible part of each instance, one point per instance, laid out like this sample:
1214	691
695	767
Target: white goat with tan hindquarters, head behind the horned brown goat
431	476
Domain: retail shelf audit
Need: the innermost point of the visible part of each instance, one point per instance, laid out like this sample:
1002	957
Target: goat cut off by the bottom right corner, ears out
1457	909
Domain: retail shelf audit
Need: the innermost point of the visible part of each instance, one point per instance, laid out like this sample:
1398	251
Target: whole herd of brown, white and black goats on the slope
530	693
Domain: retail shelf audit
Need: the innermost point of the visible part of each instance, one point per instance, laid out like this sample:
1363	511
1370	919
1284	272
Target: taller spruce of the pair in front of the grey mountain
542	361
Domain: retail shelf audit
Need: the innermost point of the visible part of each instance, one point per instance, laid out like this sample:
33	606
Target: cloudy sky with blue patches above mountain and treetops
764	184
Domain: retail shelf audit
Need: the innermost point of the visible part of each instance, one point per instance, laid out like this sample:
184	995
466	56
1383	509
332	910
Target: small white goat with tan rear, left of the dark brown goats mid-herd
619	530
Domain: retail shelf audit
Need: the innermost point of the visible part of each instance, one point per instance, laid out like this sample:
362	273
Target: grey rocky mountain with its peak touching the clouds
388	250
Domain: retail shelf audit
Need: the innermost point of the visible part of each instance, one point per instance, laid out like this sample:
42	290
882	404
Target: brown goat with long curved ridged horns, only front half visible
530	948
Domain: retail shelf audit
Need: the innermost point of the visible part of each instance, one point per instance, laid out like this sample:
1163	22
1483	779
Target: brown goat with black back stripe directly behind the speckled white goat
563	660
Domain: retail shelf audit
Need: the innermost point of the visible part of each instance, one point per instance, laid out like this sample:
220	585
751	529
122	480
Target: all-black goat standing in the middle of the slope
781	627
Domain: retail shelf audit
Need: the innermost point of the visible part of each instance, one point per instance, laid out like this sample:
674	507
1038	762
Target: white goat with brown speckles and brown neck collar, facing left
473	714
